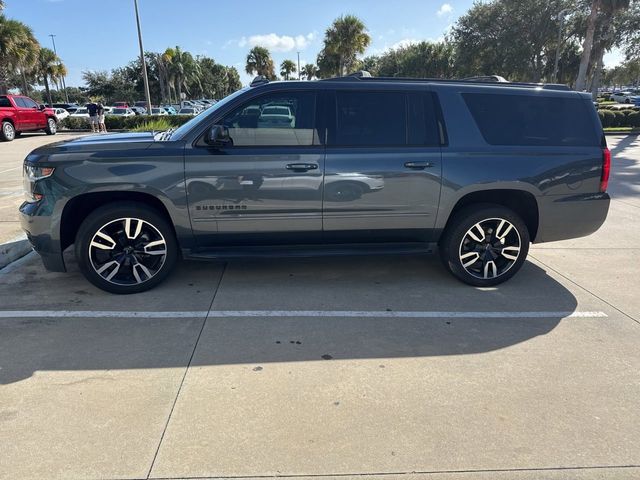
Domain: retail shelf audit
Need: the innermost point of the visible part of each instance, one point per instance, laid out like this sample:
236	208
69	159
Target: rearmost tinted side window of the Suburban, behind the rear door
532	120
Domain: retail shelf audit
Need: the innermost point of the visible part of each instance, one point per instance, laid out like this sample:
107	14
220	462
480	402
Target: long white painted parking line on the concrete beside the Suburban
289	313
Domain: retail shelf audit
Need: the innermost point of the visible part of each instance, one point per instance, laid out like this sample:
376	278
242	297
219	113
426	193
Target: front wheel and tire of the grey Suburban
126	247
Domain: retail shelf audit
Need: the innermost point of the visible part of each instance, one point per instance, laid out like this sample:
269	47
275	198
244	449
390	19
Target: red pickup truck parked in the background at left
21	114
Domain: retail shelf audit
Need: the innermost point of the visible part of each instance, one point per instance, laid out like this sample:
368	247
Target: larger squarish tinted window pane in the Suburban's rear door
371	118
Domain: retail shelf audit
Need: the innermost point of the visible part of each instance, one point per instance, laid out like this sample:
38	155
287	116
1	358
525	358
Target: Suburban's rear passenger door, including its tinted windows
383	167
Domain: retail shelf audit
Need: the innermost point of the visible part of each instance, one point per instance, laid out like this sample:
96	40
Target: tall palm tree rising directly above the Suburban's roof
344	40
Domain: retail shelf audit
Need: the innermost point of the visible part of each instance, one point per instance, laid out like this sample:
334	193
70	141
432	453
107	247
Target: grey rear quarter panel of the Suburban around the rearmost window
470	164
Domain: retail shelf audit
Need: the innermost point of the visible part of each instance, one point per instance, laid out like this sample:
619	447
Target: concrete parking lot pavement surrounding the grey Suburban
323	367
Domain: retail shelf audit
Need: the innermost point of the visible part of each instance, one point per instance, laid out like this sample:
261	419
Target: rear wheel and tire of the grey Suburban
484	245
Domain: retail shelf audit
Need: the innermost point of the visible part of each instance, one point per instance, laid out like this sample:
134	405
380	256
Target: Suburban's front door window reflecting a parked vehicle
274	119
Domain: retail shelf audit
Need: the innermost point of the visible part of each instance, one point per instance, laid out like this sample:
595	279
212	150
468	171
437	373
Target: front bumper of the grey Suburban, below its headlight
44	235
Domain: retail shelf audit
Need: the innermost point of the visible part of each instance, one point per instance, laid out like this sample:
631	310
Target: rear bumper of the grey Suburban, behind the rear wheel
564	217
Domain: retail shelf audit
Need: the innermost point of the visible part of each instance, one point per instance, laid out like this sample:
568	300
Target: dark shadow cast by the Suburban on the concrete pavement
403	283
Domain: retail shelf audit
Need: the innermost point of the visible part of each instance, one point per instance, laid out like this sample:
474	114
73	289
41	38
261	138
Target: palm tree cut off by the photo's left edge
16	48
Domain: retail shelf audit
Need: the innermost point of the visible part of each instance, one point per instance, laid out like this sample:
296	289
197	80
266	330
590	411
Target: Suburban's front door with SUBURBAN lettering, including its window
266	186
